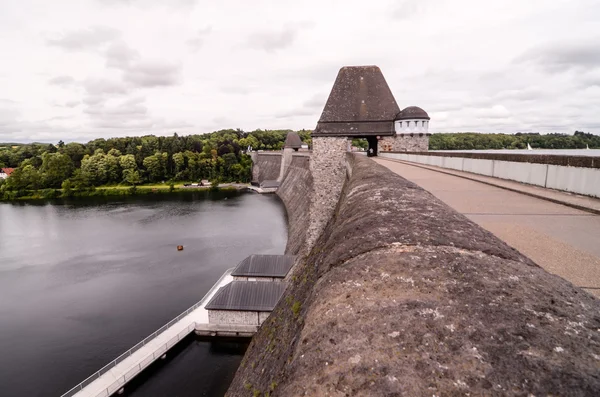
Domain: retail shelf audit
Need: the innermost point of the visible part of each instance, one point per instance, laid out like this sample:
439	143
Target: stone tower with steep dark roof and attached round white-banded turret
360	105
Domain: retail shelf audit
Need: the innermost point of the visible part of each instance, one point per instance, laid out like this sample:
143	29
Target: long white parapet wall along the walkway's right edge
578	180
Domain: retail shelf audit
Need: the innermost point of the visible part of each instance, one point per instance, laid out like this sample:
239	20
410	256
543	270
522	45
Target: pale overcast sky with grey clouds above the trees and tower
78	70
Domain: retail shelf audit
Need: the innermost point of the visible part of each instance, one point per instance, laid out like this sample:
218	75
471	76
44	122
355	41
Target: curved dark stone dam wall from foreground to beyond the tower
402	296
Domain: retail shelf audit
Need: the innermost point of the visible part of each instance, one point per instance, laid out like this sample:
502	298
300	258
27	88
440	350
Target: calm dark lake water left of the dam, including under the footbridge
83	281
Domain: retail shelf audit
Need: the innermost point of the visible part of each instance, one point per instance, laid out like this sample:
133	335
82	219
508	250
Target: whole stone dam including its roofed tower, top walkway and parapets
402	278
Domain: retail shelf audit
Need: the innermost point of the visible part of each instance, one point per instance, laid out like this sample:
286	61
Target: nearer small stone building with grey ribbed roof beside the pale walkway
244	302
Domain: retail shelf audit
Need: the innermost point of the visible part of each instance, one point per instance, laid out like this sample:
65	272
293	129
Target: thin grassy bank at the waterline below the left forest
115	191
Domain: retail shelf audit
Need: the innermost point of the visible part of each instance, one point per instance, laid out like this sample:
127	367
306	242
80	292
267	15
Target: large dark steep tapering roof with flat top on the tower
360	104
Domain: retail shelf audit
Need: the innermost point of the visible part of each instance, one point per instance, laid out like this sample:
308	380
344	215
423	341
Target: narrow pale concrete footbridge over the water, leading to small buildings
113	377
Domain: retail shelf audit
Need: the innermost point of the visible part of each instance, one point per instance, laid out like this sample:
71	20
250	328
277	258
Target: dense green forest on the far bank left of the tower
217	156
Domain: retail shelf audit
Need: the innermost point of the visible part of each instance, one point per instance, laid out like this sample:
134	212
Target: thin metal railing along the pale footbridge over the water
145	341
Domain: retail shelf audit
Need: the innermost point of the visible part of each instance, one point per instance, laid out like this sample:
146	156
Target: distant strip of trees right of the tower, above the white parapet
477	141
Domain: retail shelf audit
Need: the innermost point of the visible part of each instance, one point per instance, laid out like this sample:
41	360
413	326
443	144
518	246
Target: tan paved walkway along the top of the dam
562	239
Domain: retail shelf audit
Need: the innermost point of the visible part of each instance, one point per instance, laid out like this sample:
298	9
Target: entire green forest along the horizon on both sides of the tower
77	169
